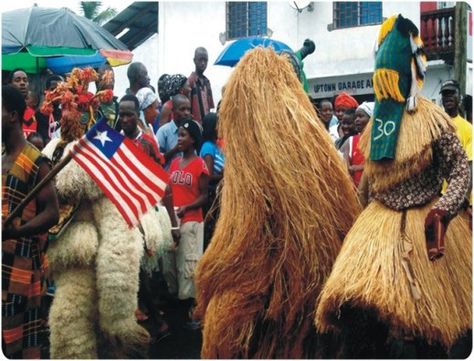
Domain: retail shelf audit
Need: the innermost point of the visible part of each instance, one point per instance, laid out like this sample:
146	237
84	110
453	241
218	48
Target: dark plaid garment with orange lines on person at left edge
24	264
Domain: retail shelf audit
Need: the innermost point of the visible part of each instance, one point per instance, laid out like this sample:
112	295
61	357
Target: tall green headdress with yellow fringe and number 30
400	67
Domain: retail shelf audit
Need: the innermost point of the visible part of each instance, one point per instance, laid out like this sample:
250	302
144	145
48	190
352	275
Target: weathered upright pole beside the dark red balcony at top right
460	44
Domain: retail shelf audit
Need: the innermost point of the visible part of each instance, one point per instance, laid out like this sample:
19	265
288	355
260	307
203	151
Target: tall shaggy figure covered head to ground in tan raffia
287	203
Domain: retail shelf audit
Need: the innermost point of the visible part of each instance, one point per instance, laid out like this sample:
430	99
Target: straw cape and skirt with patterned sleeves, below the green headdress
383	265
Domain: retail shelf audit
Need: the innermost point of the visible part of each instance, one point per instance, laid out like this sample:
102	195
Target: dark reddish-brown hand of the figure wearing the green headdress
436	223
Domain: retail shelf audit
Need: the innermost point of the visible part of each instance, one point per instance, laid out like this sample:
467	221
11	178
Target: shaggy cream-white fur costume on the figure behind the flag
95	264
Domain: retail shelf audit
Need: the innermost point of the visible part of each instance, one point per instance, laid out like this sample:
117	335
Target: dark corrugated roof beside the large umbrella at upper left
142	20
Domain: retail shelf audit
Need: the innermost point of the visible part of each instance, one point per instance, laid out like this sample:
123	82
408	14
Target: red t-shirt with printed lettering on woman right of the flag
185	186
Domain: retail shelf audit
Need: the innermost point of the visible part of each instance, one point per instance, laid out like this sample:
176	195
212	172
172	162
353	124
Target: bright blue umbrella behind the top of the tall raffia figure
234	51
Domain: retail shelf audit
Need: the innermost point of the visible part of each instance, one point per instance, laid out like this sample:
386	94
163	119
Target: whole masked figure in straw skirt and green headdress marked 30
404	270
